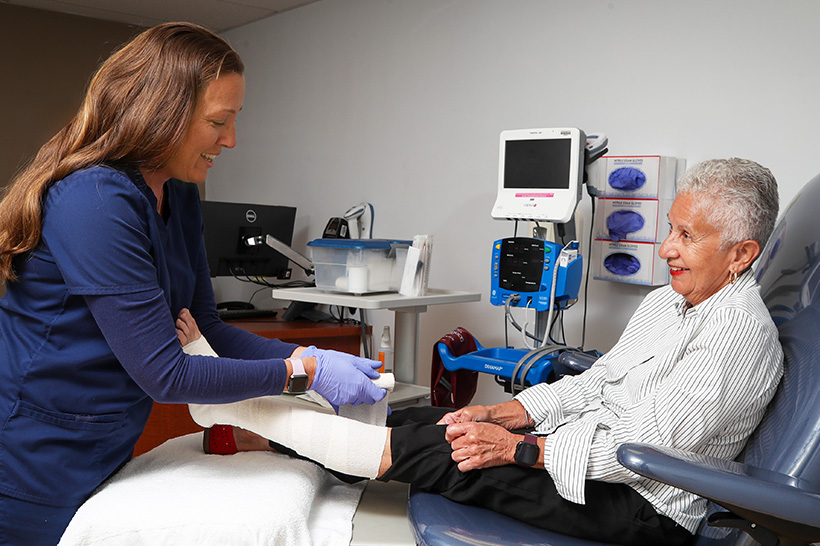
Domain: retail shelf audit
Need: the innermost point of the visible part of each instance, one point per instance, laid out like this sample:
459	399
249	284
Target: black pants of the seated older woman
612	513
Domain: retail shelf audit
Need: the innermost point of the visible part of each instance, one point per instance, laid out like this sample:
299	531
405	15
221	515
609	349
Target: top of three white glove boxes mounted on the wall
658	175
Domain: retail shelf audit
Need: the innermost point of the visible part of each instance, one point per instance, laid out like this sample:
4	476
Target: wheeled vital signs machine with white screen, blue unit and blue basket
541	173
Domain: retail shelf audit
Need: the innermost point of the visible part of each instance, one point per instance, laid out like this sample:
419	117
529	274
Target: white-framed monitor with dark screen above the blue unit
540	174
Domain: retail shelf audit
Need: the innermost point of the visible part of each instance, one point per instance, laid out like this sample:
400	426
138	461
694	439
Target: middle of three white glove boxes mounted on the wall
653	211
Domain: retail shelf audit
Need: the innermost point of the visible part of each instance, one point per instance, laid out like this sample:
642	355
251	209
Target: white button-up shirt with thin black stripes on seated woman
697	379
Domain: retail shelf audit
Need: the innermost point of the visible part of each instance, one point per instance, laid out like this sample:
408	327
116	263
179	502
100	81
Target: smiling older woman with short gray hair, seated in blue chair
694	369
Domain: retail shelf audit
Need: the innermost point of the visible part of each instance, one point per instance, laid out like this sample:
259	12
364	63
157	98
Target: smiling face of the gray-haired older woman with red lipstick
698	265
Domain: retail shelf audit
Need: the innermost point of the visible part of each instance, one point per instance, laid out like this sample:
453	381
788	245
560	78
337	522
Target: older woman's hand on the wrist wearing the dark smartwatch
481	445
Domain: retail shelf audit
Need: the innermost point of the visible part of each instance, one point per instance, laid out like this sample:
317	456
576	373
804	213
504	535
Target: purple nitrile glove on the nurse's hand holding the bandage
344	379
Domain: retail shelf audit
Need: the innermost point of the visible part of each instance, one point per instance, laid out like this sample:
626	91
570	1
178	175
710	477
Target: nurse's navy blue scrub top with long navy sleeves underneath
87	335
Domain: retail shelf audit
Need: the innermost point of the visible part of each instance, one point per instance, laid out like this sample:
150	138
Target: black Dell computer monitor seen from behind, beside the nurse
228	225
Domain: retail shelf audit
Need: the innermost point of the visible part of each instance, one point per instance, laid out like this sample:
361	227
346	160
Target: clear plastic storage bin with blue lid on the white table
358	266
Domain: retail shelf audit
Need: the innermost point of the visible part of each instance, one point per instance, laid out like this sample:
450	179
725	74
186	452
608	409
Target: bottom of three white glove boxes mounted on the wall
651	269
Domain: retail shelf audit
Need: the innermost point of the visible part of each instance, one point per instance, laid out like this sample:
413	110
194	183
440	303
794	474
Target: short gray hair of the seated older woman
737	196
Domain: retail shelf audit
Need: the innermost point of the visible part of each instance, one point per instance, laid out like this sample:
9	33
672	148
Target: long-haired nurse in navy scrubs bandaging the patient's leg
101	249
